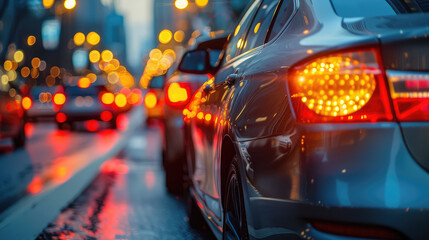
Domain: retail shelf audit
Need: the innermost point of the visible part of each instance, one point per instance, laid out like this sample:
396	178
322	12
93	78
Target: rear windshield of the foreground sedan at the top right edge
374	8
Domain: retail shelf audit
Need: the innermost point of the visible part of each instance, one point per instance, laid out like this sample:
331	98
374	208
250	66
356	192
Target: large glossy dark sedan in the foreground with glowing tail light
316	125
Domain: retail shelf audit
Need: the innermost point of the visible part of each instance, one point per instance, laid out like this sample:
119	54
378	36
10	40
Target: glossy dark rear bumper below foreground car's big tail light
347	173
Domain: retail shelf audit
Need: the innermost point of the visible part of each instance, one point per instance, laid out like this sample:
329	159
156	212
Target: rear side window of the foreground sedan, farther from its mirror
259	29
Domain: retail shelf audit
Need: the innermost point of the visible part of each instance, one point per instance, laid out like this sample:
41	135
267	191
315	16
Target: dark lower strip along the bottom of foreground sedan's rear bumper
283	219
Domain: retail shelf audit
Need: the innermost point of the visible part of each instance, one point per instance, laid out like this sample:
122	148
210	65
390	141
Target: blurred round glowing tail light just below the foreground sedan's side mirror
178	94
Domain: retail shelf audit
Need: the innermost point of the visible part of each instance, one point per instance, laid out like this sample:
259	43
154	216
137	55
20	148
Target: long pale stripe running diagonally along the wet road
27	218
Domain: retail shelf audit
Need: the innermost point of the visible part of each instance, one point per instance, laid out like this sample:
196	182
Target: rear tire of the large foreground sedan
235	222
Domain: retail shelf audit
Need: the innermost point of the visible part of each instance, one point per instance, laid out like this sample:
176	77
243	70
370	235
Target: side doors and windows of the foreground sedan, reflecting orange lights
212	122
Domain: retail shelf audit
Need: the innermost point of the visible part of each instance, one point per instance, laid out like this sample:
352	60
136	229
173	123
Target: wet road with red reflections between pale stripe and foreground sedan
127	200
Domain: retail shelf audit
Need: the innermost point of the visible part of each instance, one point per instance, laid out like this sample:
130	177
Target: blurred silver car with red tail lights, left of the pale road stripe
88	101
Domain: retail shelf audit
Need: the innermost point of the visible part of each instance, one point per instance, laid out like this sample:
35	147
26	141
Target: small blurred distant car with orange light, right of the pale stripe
153	100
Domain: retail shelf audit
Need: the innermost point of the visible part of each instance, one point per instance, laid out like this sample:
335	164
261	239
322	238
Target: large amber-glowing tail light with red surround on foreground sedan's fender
342	87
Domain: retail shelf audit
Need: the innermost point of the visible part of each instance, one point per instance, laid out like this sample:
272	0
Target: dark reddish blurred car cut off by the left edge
12	115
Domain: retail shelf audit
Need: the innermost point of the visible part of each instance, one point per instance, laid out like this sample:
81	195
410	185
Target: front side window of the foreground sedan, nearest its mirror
239	34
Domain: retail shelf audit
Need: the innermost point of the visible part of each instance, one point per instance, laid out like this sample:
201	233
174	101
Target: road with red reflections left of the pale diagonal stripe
49	155
